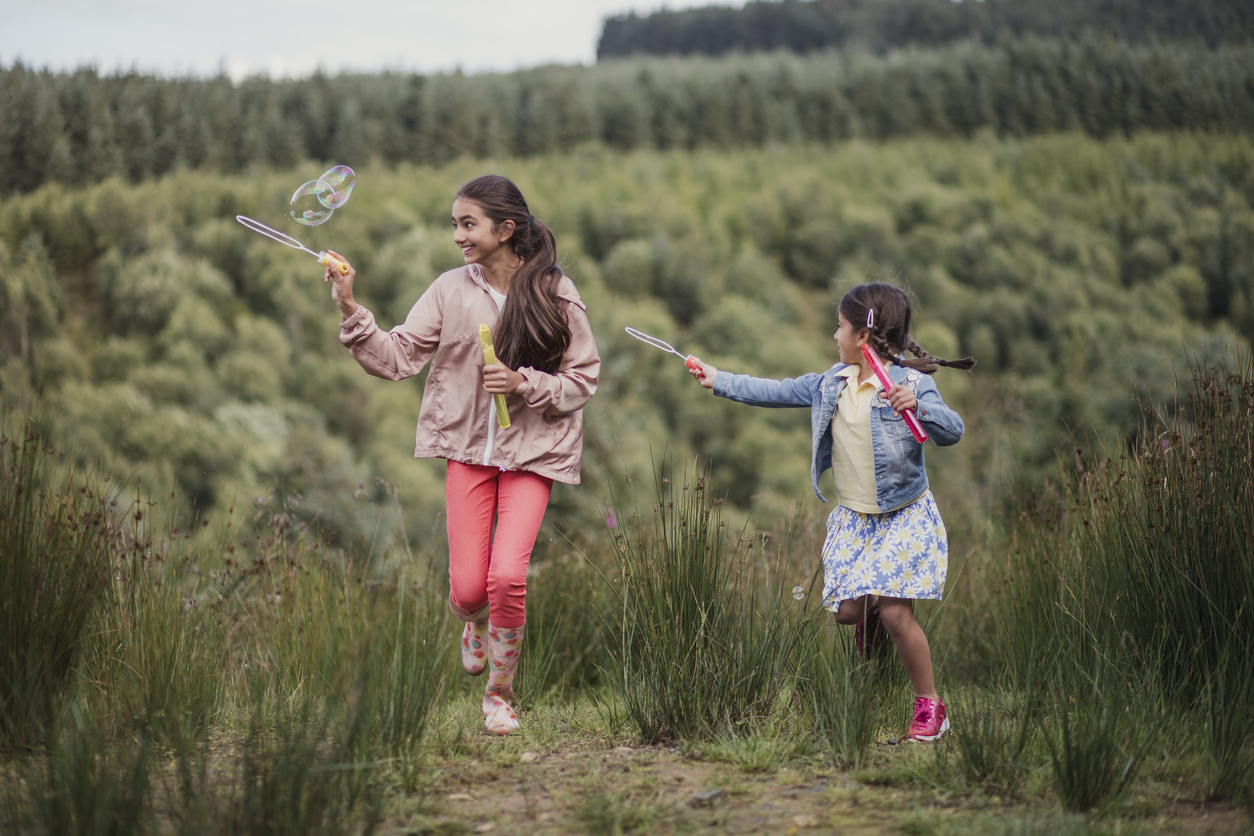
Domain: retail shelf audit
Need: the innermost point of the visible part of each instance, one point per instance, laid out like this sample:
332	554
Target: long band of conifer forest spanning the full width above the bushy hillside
83	128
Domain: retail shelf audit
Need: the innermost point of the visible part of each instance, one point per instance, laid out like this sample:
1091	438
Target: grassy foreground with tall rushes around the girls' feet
263	682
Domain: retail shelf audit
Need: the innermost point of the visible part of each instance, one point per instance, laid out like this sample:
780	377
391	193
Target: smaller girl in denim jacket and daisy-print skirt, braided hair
886	543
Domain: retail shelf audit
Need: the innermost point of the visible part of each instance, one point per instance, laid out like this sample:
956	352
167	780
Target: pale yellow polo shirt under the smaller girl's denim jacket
853	462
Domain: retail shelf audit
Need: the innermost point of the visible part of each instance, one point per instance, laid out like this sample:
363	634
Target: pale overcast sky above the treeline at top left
287	38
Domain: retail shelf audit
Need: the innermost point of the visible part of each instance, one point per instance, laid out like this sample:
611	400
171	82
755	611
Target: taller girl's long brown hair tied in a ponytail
532	330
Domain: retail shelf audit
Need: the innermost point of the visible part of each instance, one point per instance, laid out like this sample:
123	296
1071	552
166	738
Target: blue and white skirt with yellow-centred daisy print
901	555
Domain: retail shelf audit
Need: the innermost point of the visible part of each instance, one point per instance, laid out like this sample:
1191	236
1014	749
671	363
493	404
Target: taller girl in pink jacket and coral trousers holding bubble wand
547	370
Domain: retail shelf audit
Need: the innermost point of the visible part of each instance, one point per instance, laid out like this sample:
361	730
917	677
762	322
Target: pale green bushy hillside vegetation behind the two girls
165	340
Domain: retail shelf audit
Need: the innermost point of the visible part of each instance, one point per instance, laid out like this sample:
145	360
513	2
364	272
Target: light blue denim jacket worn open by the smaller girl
900	473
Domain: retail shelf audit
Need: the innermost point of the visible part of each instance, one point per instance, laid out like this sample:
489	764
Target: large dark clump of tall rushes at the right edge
1146	558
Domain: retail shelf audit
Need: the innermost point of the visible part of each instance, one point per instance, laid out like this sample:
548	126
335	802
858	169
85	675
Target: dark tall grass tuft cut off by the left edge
55	563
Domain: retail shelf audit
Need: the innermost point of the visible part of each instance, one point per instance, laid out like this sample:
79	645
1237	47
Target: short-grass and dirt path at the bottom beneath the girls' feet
562	781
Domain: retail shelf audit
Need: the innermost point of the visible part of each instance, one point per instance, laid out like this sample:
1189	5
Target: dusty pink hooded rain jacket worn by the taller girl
457	422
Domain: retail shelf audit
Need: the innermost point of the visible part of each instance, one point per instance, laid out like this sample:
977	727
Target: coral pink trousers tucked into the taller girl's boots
486	567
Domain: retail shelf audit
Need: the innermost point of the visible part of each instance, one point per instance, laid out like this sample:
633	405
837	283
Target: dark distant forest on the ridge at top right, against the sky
881	26
